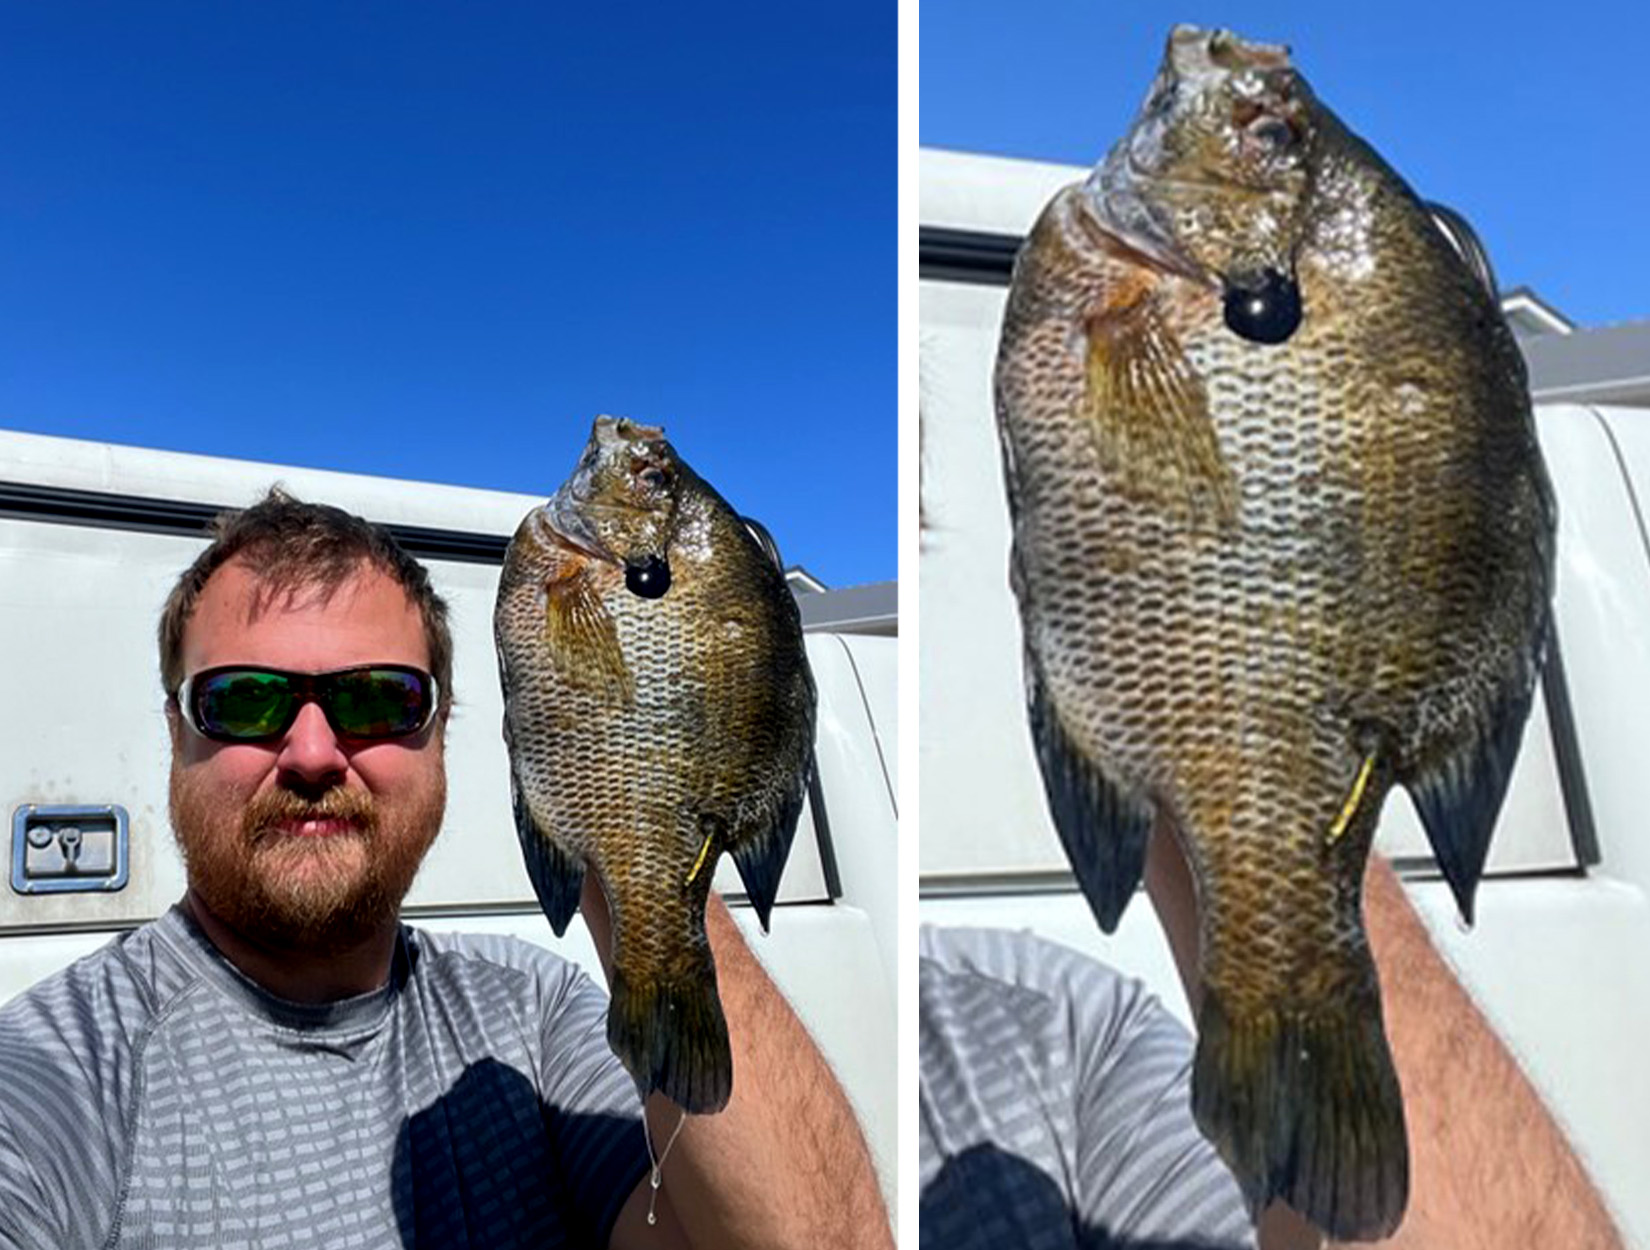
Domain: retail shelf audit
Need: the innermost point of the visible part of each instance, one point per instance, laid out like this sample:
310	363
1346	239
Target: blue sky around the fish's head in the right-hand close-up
1532	123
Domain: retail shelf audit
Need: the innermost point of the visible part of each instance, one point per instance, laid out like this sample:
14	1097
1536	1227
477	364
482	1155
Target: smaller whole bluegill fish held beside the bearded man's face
659	712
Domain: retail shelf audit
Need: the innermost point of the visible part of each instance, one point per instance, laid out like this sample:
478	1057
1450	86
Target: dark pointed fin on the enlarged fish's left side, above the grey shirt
1101	824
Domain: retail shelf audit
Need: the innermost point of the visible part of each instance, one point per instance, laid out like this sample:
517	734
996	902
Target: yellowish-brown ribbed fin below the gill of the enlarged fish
1151	411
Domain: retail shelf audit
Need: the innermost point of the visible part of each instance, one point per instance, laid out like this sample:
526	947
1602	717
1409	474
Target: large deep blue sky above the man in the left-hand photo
433	240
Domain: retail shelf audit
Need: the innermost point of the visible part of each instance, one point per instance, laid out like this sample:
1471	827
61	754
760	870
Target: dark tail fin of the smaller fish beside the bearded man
671	1035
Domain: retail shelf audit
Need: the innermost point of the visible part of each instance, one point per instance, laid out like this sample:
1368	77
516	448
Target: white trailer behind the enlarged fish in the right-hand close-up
1557	957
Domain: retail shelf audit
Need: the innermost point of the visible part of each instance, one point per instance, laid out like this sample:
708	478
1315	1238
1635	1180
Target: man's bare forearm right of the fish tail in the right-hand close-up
1487	1163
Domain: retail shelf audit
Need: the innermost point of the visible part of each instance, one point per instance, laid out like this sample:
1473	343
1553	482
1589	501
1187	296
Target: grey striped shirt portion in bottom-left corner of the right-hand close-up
1055	1107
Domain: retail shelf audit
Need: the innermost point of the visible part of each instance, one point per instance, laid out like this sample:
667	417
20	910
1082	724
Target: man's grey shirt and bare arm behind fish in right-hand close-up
1057	1102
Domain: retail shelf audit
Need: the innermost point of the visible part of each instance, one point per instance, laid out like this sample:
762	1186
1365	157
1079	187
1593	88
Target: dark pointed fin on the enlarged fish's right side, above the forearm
1459	792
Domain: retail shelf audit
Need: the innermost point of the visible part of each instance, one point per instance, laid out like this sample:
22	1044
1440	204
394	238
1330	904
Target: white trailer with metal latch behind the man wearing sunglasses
92	540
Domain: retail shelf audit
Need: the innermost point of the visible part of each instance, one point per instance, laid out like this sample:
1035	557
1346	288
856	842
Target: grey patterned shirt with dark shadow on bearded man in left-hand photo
153	1096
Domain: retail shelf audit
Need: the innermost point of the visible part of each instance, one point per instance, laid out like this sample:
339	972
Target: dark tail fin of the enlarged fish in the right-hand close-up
1306	1107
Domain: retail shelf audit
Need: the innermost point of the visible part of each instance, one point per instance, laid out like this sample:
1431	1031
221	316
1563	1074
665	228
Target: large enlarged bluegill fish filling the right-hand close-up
1283	540
